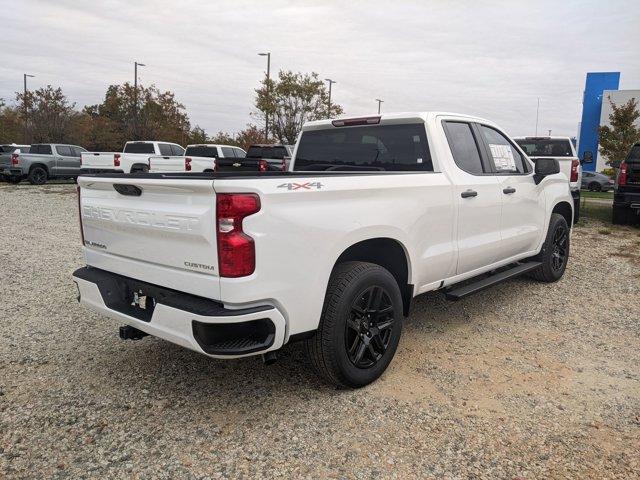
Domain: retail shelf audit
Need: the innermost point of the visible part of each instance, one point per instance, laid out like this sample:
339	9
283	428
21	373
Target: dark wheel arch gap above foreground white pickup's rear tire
390	254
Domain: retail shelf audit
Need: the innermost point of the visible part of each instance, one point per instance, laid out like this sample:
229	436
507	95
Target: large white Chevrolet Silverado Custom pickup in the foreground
373	212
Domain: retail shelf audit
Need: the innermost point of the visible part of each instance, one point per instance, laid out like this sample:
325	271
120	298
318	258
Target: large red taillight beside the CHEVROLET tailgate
236	250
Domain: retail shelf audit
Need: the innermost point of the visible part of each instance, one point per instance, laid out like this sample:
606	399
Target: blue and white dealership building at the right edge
601	88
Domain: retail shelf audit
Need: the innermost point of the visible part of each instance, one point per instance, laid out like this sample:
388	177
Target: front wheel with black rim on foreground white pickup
555	251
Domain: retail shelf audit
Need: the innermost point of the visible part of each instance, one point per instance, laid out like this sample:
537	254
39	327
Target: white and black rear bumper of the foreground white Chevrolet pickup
197	323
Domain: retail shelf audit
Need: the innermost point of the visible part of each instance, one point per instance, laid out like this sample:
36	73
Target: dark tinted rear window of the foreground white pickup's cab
375	148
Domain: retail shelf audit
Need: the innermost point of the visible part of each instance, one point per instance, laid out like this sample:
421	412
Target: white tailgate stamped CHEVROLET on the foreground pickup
161	231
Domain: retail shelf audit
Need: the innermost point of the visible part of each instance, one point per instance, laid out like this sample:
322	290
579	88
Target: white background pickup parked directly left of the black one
196	158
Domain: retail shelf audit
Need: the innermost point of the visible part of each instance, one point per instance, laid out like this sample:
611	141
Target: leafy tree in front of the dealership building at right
616	140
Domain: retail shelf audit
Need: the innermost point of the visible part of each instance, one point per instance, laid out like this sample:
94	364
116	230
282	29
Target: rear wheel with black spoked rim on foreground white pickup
349	349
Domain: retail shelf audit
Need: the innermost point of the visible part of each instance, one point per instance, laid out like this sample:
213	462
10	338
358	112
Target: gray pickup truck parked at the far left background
43	162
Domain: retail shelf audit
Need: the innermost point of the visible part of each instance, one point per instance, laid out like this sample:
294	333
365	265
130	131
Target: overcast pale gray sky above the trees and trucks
491	60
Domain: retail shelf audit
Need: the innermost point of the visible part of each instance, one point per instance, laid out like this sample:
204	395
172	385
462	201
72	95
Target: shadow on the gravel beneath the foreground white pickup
167	371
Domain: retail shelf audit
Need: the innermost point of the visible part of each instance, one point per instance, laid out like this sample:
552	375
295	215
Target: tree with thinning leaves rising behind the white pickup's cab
292	100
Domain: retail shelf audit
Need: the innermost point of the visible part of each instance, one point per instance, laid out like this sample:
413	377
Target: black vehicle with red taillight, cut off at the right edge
626	193
